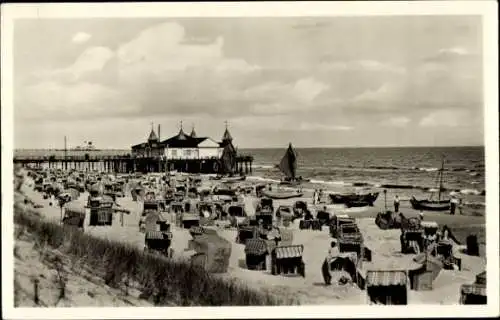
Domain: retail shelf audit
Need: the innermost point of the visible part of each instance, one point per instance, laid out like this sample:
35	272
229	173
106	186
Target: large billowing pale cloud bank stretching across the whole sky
163	71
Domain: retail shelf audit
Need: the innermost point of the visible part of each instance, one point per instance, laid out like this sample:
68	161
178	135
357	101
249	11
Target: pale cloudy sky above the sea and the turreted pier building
315	82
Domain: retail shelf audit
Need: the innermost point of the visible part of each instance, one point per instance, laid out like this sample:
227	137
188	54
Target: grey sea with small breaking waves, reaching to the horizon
405	171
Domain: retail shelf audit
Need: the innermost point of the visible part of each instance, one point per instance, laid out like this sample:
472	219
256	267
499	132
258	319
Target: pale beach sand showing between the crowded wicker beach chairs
310	290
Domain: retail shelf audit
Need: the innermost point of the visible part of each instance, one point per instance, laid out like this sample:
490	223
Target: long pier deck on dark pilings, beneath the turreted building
130	164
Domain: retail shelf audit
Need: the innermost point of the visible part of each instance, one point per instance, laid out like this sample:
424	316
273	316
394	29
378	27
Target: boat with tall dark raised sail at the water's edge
288	166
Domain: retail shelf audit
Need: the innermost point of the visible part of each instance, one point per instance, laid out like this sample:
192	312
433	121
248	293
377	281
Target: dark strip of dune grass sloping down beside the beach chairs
161	281
